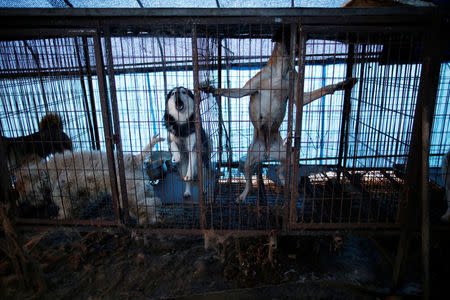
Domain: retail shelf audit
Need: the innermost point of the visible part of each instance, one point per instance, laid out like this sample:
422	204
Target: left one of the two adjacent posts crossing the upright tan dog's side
287	215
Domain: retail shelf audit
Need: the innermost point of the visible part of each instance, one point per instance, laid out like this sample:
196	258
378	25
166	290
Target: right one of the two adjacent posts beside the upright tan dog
298	122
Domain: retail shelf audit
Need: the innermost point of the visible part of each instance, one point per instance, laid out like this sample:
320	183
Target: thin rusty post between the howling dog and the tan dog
198	127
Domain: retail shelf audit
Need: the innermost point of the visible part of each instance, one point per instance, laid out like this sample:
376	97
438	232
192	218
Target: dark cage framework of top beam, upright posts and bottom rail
106	23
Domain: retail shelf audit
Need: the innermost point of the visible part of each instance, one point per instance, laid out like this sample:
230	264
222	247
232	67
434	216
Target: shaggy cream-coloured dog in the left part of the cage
70	177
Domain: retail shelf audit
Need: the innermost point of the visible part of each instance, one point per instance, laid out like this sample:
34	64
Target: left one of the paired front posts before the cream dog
107	124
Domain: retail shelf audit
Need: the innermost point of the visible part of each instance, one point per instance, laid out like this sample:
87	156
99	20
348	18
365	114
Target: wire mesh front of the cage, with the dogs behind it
217	124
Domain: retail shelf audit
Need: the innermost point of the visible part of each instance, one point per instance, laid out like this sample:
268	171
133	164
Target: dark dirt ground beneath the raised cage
123	265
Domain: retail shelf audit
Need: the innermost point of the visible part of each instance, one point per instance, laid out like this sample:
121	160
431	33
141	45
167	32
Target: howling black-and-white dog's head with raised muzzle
180	104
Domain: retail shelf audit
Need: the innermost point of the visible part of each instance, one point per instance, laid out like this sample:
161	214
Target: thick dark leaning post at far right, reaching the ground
418	158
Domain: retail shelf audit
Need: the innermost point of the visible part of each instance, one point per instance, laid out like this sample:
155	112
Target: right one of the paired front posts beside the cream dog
116	127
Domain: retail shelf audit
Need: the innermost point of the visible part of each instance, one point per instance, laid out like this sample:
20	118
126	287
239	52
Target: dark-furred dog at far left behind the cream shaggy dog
48	140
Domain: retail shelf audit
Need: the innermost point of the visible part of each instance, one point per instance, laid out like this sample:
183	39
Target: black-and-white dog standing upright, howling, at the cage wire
179	120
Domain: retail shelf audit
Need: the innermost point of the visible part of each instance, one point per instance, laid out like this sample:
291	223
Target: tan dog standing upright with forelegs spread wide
268	91
